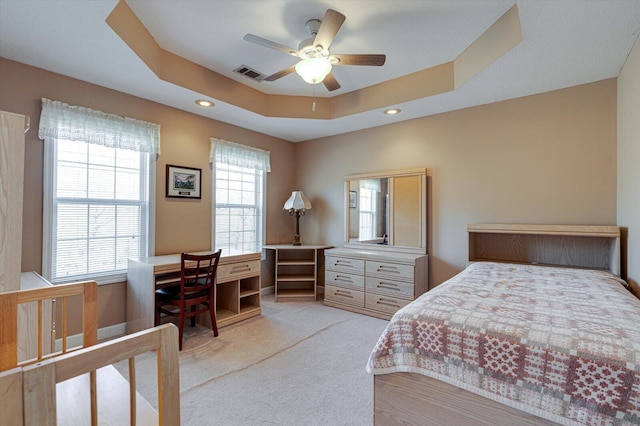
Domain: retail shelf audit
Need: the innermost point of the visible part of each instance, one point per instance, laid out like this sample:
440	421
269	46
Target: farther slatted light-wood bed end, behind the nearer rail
9	306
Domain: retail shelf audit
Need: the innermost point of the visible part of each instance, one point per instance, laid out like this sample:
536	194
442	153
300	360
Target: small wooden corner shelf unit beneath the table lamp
298	271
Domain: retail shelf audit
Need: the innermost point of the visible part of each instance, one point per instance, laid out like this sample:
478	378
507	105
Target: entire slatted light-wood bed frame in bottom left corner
79	385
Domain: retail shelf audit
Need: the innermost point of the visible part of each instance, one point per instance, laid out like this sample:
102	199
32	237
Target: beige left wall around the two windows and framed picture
185	141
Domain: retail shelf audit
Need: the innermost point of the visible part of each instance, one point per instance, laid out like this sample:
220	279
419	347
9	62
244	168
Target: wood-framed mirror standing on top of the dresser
387	210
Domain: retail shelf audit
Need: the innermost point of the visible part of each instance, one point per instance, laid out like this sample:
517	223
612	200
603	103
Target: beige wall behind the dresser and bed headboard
549	158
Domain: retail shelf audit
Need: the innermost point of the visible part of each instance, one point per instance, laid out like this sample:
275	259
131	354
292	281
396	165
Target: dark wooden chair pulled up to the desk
194	296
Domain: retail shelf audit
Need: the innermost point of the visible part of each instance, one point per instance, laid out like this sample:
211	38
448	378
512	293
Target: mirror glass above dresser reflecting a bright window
368	211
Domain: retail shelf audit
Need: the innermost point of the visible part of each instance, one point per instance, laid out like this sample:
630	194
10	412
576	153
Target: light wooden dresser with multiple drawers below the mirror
373	282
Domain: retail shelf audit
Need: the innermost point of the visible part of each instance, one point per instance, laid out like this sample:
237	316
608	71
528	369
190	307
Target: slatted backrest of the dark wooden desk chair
198	271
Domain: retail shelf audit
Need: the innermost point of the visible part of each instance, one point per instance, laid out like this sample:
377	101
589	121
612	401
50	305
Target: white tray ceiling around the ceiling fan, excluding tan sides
565	43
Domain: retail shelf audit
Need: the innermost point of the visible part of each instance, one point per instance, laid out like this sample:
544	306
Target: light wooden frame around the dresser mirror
421	173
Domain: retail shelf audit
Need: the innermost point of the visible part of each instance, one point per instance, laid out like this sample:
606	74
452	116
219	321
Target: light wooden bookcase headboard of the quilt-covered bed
584	246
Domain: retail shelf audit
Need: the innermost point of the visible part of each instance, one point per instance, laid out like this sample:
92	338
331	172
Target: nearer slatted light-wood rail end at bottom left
39	380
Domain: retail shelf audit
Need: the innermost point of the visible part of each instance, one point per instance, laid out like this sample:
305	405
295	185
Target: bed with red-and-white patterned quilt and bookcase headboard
538	329
